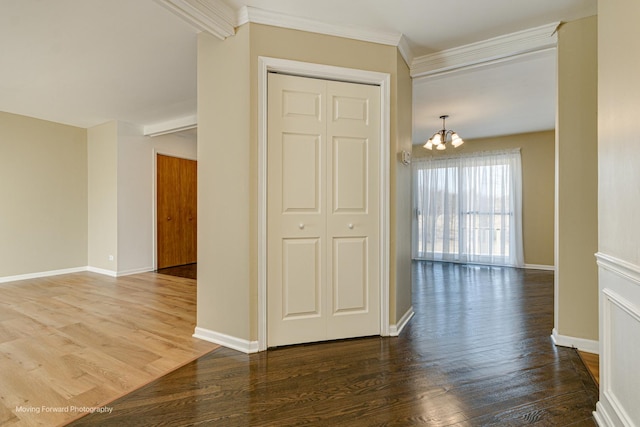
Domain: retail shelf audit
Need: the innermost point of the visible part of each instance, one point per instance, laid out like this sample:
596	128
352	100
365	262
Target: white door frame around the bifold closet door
327	72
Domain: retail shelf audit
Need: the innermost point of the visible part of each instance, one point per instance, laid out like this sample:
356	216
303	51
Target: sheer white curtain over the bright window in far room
468	208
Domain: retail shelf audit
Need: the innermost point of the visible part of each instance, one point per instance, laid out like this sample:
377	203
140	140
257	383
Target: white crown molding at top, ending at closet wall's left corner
212	16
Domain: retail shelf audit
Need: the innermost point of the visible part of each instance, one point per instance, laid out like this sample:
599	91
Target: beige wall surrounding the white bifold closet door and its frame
227	152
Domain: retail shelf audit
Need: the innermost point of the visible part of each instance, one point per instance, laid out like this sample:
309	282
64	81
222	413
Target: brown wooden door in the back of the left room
177	224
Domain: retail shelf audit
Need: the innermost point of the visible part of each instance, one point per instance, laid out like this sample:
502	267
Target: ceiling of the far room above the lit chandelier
516	96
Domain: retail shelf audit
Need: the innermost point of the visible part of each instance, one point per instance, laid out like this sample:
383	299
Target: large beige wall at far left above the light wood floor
43	194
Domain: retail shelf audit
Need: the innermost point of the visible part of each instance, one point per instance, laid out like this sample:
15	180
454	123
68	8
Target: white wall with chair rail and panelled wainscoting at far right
618	207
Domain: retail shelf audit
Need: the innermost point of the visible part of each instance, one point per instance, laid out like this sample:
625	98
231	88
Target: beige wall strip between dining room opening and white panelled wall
577	182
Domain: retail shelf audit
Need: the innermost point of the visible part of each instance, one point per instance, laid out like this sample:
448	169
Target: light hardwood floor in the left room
73	342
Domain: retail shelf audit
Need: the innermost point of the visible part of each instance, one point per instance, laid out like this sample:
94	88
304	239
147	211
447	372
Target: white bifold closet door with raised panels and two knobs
323	221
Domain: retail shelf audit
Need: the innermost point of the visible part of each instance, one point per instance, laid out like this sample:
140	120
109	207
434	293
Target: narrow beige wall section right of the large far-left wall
102	148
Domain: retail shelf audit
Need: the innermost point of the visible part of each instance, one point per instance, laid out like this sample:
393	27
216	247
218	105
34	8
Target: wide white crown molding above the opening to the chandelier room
487	51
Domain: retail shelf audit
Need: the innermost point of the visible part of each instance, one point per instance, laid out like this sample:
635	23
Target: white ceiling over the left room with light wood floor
86	62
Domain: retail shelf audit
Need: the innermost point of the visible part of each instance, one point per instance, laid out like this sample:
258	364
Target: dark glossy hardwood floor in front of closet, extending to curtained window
477	353
